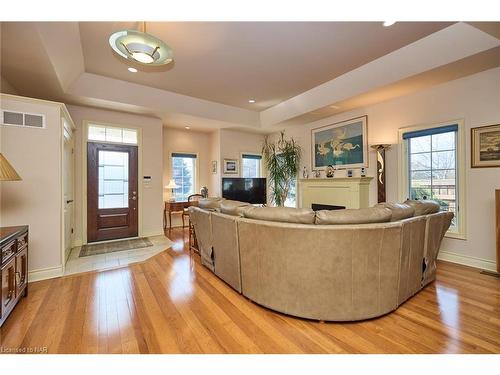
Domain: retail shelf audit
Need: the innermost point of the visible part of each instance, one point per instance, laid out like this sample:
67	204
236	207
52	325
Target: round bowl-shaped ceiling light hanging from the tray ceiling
141	47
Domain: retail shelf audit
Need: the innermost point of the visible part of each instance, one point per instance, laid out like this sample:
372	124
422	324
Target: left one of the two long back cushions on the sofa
281	214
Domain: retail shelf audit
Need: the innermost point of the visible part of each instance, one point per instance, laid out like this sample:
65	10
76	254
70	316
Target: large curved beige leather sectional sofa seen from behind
341	265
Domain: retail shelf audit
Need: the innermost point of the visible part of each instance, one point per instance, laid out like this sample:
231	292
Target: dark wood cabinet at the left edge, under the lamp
13	268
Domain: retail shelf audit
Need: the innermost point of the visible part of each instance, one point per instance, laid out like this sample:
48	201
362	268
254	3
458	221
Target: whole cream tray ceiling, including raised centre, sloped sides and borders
296	71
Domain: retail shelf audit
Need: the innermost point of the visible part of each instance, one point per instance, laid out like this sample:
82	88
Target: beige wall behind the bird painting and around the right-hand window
475	99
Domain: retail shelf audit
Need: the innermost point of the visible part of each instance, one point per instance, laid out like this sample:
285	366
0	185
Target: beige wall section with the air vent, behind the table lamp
37	199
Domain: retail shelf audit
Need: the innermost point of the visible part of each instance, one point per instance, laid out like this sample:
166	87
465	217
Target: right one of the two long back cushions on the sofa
353	216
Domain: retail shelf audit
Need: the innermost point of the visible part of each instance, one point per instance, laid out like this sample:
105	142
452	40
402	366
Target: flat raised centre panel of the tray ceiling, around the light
231	62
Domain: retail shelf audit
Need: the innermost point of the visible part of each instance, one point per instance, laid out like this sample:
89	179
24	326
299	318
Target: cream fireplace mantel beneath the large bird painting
351	192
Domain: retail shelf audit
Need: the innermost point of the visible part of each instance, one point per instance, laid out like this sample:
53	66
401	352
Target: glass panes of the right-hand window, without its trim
432	169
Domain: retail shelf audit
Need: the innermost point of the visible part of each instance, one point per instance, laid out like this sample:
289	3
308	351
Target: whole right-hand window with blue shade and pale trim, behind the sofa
432	166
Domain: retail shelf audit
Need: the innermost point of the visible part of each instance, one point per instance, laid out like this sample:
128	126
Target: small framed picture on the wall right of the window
485	147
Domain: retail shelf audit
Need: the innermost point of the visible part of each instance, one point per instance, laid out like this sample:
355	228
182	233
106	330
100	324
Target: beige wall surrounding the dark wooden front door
152	164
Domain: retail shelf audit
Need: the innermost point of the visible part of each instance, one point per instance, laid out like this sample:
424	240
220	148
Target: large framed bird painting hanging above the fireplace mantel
342	145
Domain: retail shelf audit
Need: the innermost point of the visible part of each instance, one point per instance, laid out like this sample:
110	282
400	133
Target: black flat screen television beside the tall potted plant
251	190
